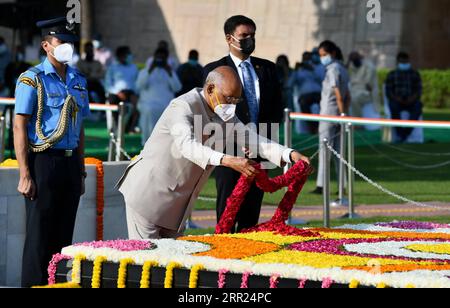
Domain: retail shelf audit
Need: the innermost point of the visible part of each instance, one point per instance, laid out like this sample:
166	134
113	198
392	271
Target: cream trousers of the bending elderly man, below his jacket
140	228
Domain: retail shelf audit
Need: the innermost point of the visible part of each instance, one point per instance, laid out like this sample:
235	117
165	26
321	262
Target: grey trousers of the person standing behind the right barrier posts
329	131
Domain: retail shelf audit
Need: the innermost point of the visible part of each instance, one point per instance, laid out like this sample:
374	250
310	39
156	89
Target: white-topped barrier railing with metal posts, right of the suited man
347	137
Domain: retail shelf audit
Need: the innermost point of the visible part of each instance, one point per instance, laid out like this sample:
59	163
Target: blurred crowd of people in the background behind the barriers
114	77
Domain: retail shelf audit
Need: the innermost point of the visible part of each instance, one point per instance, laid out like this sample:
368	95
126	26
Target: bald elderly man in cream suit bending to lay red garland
163	182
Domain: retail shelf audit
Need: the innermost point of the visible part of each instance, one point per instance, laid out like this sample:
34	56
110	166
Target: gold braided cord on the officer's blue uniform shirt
69	107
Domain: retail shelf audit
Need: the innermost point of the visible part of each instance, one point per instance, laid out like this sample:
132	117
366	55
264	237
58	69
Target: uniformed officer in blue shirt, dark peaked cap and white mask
51	102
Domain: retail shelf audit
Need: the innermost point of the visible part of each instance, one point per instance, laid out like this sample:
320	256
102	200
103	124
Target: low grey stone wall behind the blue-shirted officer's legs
12	217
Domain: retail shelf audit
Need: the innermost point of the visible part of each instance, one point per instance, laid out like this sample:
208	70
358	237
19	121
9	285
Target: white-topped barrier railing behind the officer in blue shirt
116	139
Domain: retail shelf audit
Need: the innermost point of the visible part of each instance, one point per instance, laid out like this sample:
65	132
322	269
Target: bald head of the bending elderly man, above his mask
225	81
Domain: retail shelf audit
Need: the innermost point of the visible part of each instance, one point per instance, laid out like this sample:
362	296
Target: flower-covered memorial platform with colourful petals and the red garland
271	255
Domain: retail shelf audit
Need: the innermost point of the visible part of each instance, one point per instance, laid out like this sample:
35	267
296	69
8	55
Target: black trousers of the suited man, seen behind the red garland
248	215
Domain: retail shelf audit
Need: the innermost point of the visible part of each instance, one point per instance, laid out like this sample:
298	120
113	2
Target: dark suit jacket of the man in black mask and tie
271	104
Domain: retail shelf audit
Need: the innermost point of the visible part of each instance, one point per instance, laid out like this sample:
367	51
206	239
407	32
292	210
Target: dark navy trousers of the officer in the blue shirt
51	215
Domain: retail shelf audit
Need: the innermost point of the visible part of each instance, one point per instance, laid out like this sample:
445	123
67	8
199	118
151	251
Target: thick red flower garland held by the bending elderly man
294	179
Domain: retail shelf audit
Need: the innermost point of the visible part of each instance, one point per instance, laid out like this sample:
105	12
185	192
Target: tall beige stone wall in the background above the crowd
284	26
